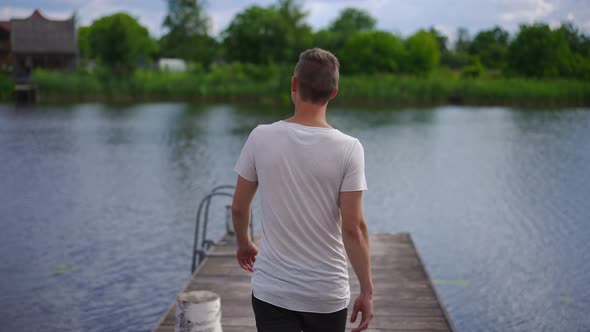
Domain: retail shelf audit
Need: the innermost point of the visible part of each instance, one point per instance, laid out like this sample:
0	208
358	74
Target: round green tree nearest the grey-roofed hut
120	42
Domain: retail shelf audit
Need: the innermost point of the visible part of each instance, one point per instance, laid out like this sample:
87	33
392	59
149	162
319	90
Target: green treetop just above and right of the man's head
350	22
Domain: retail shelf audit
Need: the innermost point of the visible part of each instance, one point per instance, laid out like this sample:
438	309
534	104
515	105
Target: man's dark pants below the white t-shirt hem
270	318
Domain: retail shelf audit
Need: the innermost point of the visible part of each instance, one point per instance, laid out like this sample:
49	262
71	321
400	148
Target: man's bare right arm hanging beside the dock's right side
355	236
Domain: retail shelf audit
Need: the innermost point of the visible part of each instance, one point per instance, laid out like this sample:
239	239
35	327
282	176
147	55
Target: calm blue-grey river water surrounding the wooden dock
97	206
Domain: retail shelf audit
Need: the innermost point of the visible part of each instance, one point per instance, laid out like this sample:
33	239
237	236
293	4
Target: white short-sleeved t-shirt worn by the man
301	171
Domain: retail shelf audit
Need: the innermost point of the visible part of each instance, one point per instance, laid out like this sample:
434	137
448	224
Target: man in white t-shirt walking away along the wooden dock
311	178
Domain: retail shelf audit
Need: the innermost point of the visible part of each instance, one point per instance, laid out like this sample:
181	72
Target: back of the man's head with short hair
317	73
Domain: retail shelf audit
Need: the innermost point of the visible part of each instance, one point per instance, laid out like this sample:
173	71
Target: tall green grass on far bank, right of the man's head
436	89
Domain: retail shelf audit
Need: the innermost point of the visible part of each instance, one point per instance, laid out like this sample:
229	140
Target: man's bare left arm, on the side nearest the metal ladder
241	213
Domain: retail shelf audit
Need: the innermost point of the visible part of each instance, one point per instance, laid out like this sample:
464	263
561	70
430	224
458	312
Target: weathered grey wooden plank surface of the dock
404	299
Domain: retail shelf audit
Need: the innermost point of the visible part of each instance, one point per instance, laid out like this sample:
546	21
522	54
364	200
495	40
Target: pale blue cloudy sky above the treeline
398	16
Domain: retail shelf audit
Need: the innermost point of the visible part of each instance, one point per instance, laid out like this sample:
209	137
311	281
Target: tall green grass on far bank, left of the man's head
218	84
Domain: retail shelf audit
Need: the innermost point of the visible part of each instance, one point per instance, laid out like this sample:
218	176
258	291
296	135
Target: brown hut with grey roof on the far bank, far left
38	42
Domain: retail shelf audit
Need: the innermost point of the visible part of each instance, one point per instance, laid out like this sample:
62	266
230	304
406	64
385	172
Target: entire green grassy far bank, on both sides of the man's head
271	85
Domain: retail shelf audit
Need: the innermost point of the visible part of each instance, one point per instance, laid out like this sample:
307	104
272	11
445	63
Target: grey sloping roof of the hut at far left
40	35
